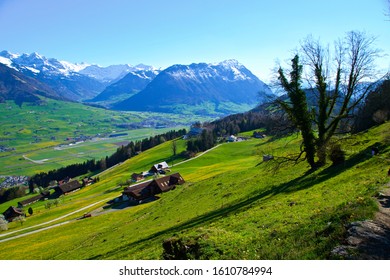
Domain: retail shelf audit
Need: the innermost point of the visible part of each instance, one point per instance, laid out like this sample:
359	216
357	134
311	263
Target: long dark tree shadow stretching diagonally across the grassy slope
303	182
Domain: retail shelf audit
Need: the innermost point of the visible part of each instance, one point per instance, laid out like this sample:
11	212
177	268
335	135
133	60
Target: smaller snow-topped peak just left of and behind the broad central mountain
126	87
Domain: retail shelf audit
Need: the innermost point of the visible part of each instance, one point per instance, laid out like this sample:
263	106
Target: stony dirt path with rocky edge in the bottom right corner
370	240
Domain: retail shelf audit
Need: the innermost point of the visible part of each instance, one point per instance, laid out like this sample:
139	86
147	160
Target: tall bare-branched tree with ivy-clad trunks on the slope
340	80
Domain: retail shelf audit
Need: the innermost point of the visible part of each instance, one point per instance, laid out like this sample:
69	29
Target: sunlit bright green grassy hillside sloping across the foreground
233	206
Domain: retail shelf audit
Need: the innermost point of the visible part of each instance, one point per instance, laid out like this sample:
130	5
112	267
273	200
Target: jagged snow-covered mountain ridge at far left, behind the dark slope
76	82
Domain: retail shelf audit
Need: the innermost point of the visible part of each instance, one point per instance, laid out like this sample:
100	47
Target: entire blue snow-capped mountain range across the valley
220	88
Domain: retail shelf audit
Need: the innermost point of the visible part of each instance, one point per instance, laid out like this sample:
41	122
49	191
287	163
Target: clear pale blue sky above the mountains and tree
162	33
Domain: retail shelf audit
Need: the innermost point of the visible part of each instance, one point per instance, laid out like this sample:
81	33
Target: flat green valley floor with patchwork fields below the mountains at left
56	134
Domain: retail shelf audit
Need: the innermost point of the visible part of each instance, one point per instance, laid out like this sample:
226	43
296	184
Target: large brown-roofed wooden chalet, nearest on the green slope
151	188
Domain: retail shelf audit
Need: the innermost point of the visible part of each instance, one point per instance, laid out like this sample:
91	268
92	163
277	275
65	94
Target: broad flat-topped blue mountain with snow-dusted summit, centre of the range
223	85
